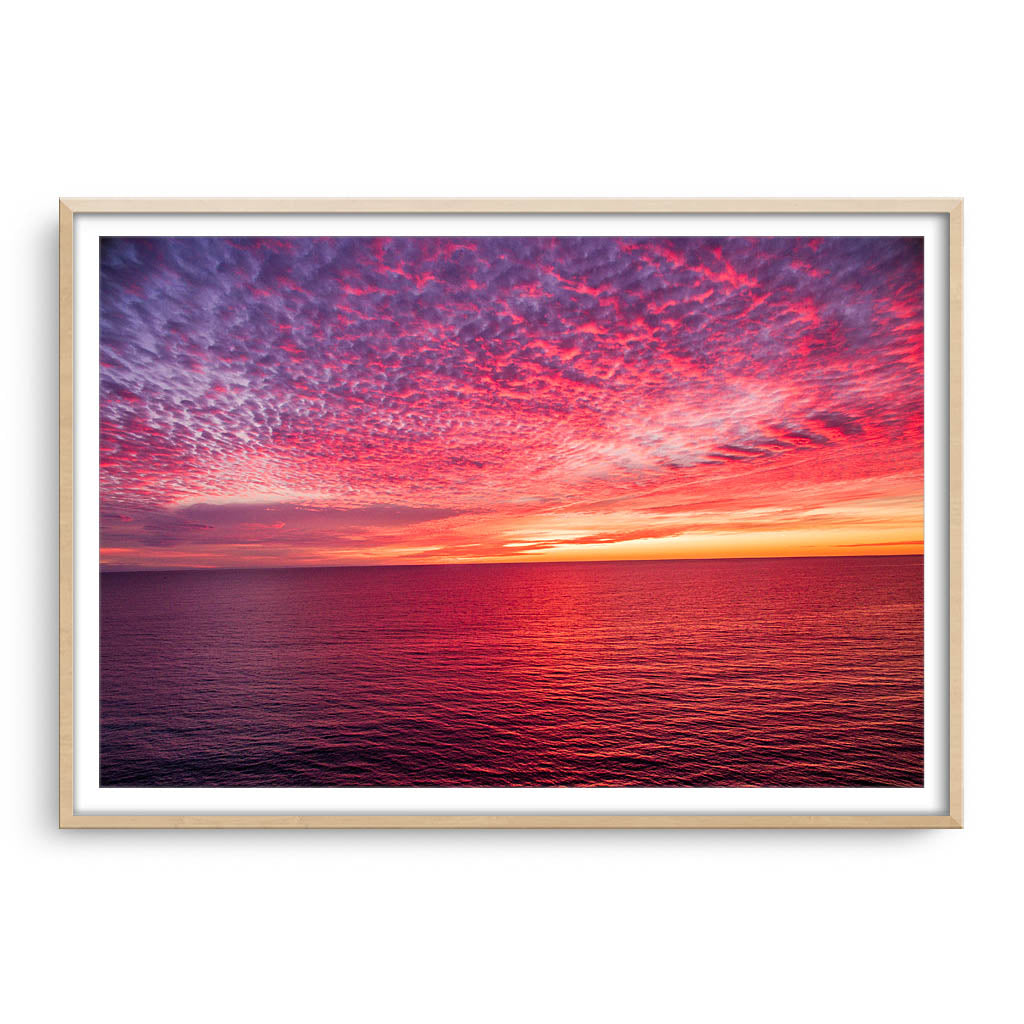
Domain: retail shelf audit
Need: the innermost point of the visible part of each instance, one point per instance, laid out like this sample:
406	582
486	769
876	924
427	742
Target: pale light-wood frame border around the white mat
952	208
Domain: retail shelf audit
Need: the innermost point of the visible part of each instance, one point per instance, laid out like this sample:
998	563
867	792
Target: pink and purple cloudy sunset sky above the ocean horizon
273	402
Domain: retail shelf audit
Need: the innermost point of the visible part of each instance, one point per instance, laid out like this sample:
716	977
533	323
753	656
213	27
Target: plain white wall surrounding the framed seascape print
517	99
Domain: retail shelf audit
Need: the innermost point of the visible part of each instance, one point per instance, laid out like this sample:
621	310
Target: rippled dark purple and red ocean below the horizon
787	672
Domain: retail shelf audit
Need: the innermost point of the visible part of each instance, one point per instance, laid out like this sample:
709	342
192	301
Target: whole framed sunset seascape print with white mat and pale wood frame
510	514
